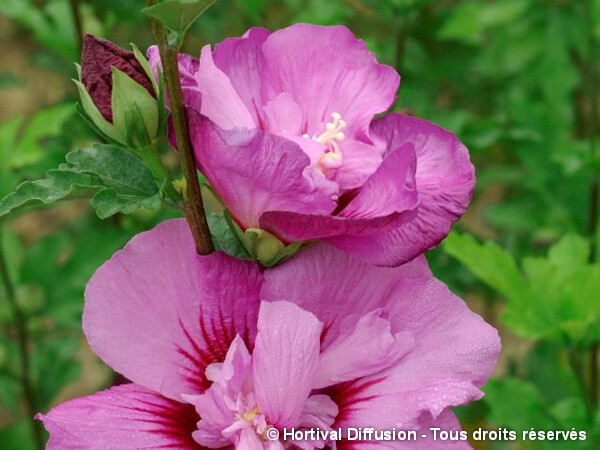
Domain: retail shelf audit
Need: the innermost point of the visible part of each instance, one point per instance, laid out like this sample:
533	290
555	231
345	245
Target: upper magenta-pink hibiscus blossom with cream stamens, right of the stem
282	127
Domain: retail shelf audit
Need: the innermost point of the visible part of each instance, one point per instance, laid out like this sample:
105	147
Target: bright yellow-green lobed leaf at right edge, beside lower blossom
555	298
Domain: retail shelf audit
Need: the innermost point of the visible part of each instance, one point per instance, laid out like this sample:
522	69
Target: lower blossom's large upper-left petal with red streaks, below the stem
160	314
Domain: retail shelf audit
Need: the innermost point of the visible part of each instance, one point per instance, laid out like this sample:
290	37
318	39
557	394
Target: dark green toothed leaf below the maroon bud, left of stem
115	179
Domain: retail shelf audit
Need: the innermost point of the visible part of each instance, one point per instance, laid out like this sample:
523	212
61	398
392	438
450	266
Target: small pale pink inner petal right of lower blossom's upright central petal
368	347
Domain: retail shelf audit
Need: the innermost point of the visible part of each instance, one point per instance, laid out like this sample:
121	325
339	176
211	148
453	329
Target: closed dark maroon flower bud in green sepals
118	93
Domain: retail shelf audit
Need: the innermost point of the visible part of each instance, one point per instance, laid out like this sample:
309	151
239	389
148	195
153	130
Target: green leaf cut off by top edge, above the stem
178	15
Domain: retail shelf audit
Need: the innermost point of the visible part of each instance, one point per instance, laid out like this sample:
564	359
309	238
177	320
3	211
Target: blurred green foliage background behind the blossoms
517	80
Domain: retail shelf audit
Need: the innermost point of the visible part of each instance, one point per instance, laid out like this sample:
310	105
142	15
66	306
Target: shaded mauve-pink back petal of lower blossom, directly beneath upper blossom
336	286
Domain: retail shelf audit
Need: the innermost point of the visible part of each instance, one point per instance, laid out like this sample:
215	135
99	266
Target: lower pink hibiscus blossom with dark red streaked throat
220	351
